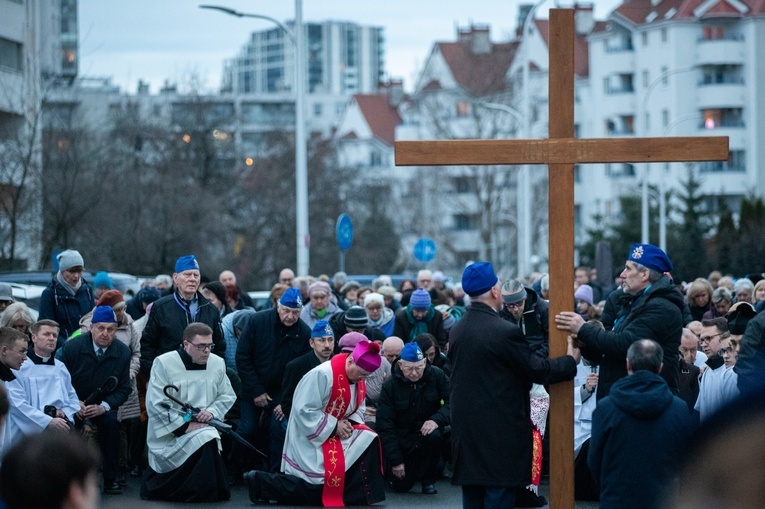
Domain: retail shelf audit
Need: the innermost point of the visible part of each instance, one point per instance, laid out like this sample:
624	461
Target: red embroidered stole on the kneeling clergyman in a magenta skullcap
334	456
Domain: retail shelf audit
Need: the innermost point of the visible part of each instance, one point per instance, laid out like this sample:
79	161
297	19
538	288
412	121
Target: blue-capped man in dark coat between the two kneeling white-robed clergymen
270	339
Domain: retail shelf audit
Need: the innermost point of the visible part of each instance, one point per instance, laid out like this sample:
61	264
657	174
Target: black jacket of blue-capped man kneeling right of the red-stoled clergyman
404	406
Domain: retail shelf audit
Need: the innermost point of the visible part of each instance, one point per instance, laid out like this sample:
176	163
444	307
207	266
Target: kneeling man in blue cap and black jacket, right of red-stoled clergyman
412	413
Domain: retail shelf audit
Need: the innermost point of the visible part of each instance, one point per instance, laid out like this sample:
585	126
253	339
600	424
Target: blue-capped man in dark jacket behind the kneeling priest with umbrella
172	313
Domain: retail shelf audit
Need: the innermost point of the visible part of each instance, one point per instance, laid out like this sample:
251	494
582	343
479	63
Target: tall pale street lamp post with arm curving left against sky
297	36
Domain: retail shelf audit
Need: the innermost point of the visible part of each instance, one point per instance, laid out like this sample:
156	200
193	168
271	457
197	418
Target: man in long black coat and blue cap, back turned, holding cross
493	369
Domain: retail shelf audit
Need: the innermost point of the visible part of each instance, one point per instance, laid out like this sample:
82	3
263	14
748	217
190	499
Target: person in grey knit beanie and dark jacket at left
68	297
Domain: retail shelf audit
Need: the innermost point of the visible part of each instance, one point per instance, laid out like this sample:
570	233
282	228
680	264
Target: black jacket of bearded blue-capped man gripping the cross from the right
655	313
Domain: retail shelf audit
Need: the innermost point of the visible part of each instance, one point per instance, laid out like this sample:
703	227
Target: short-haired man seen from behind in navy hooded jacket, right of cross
638	434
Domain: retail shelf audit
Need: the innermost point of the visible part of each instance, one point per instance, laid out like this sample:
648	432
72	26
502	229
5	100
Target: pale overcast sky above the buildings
158	40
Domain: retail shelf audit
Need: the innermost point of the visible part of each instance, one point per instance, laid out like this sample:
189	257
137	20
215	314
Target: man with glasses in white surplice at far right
718	382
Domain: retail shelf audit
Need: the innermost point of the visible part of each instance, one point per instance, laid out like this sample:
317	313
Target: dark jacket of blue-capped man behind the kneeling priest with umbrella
168	319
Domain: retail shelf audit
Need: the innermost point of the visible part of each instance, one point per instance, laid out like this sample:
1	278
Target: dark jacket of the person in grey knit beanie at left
56	303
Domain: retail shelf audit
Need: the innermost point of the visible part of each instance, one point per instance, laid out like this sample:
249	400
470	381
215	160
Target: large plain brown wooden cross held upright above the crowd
560	152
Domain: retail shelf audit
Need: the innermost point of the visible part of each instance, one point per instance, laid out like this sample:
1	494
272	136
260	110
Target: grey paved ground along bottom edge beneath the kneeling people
448	497
